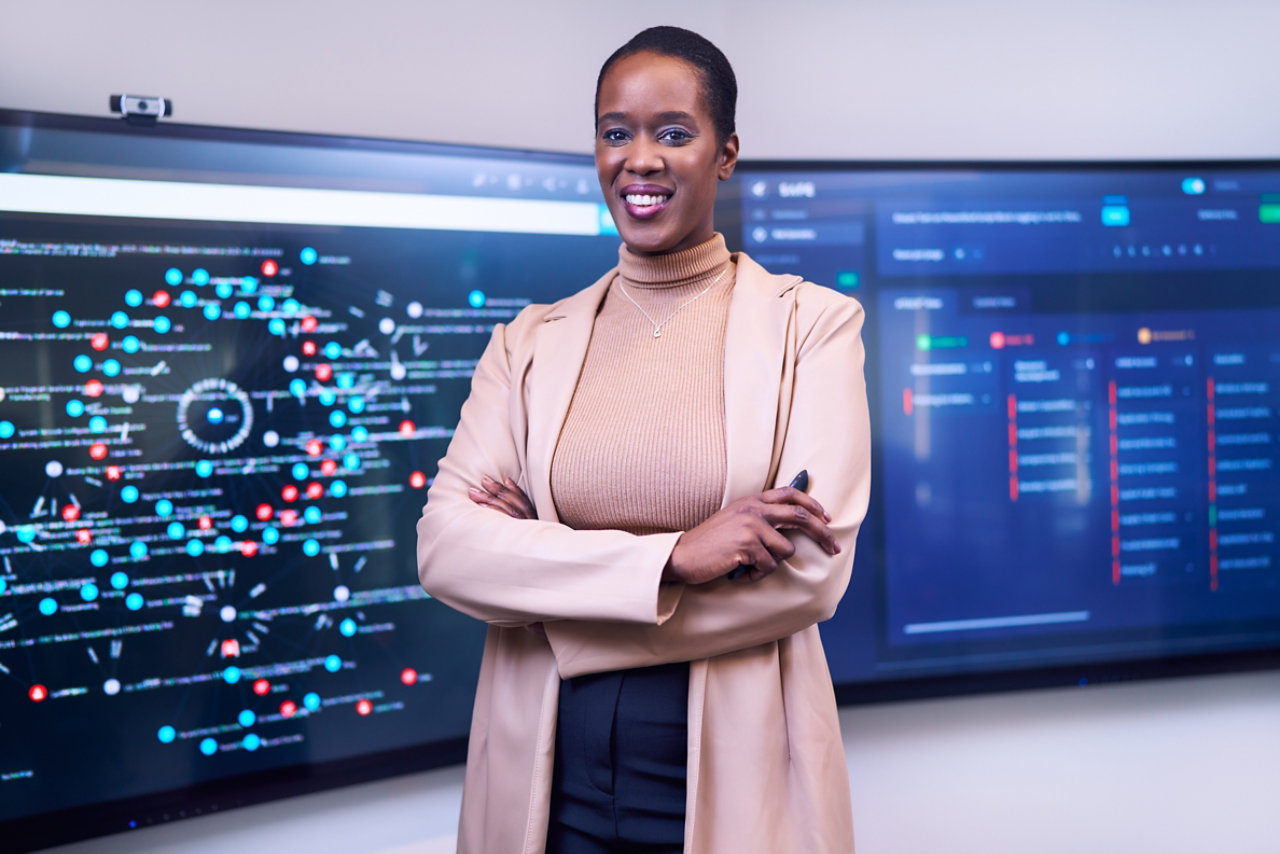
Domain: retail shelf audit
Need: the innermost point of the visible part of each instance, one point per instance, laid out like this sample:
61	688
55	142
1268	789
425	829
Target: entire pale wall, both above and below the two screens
1174	768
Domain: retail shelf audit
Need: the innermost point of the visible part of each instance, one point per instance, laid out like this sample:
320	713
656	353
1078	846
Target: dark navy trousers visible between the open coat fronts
621	762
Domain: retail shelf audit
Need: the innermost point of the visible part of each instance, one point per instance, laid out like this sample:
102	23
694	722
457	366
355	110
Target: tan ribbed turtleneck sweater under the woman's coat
643	444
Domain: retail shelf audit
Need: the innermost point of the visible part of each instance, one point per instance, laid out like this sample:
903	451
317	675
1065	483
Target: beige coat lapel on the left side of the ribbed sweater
560	353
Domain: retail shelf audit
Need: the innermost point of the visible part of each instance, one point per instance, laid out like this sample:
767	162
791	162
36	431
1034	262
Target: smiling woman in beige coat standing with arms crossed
639	692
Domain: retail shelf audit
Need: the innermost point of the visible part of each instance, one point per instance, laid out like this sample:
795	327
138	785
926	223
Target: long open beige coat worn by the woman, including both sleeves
767	768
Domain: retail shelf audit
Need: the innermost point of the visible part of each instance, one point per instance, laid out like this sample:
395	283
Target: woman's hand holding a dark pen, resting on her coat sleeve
749	533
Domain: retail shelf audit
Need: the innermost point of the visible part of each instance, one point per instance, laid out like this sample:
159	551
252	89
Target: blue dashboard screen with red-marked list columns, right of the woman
1076	383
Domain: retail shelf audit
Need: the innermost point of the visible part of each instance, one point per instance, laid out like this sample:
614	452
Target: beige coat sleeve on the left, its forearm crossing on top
510	572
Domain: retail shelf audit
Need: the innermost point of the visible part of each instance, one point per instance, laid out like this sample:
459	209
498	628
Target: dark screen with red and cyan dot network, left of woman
228	367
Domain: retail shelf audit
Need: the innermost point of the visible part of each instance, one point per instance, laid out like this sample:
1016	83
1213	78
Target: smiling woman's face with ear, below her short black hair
657	154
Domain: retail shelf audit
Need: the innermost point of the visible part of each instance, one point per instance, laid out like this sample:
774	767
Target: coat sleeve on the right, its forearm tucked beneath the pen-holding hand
828	432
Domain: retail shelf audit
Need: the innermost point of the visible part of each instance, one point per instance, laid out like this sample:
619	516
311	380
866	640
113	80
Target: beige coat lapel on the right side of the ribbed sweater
761	321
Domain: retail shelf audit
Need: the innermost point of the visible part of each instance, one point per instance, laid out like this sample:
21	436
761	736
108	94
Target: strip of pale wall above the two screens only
820	79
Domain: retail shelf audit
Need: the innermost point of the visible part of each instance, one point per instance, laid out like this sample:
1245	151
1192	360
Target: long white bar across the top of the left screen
295	205
